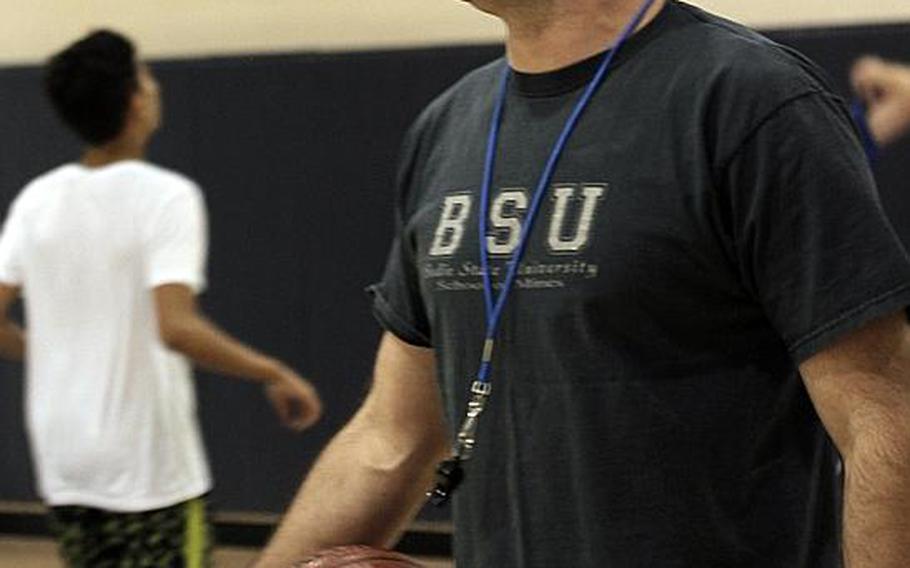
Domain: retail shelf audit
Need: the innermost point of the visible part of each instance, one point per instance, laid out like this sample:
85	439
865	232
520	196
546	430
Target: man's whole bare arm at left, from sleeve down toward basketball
370	481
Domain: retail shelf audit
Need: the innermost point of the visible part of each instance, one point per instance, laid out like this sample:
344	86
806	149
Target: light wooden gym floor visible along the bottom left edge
18	552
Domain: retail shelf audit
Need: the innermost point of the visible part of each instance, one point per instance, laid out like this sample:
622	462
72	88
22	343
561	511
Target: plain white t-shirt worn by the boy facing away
111	413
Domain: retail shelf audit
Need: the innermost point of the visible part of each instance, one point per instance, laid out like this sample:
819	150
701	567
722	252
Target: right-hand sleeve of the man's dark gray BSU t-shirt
810	237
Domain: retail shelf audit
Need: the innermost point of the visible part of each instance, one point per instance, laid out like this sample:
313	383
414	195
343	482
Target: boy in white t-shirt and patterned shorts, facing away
111	253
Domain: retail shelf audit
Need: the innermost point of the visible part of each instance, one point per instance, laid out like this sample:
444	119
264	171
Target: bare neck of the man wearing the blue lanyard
564	32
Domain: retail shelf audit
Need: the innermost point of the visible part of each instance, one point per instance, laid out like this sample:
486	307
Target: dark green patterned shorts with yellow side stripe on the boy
173	537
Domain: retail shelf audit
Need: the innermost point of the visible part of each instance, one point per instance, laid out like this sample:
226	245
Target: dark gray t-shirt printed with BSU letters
712	224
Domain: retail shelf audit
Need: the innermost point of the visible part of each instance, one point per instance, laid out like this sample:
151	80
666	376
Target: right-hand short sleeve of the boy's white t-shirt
177	241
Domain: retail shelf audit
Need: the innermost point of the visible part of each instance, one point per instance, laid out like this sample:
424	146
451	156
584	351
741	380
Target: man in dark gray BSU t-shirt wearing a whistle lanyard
707	319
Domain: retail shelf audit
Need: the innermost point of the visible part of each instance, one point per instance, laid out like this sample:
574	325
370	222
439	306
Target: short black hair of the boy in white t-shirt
90	84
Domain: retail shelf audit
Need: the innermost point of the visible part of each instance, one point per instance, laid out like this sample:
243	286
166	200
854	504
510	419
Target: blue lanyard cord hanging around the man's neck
494	305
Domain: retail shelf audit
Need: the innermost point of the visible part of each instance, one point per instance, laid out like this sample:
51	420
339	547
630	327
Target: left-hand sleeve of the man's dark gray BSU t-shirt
397	301
